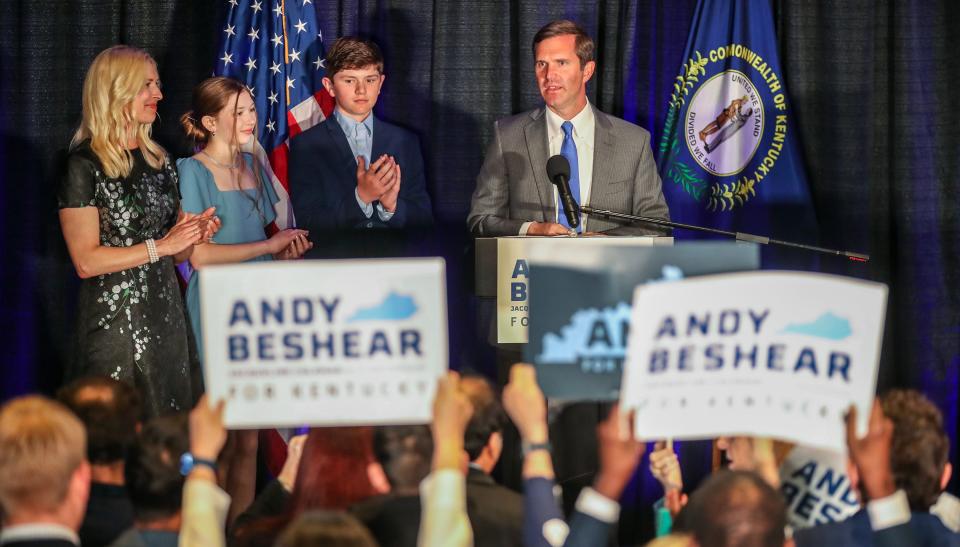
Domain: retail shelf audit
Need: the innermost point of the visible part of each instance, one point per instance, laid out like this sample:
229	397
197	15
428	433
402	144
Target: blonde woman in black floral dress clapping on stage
120	217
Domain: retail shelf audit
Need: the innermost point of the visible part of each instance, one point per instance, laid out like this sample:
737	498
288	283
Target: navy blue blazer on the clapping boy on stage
322	173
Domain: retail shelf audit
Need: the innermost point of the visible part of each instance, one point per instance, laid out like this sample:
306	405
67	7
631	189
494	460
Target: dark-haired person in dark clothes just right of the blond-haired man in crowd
110	412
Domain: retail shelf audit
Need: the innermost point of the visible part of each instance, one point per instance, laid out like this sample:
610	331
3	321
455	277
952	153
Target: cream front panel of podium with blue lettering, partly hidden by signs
513	273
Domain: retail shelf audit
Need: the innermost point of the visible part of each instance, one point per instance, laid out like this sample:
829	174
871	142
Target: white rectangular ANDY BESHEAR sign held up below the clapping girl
333	342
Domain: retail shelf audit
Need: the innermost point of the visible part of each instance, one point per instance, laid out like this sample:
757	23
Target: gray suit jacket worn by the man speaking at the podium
513	188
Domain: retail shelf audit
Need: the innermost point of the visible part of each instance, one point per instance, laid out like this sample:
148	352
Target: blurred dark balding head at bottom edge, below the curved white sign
735	509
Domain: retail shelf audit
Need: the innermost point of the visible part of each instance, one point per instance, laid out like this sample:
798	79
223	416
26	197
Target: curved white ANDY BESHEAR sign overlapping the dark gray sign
770	354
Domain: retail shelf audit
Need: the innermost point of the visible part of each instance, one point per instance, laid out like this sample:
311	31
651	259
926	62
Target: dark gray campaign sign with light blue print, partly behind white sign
580	307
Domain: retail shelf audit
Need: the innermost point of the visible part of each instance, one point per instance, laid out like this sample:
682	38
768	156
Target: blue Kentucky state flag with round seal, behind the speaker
729	156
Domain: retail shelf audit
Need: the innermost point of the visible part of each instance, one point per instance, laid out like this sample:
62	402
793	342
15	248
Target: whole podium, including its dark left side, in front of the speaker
502	272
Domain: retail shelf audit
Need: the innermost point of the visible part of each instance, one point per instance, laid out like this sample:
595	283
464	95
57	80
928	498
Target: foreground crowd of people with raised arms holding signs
90	468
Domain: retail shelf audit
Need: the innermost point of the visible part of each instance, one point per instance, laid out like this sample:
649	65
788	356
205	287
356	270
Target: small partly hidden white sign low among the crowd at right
816	488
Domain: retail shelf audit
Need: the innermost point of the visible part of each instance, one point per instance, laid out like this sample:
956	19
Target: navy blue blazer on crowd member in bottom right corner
923	529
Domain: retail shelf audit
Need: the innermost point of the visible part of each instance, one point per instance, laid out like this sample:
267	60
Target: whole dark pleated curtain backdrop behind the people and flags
871	84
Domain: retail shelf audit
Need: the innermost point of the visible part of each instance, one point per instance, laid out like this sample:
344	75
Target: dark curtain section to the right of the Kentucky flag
873	86
